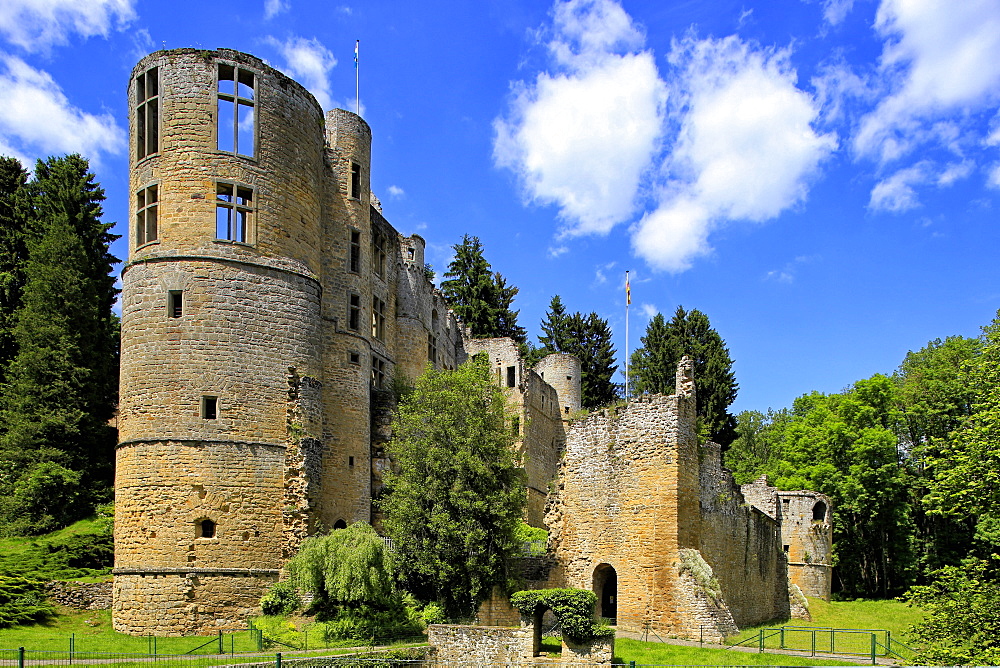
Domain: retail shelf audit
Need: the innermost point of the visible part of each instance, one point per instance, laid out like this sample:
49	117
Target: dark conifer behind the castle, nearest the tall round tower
480	296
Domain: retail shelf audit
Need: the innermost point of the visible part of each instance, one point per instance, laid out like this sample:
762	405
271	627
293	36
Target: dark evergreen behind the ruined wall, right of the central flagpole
654	365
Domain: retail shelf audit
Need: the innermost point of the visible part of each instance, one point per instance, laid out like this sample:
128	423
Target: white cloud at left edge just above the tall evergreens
36	118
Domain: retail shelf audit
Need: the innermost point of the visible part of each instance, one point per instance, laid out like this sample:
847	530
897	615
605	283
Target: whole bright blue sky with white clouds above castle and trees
821	177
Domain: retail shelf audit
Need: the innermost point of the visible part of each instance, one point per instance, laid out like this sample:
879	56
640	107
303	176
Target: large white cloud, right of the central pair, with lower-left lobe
746	148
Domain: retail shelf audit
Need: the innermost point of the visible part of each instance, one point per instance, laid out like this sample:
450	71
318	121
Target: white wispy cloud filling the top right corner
938	58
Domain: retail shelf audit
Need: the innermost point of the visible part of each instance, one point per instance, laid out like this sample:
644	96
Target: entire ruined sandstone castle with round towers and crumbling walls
266	306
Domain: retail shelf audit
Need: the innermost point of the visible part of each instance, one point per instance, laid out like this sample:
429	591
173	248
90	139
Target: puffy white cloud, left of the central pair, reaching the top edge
581	138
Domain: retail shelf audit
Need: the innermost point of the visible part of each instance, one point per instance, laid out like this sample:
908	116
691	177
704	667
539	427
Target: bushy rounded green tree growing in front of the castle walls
454	505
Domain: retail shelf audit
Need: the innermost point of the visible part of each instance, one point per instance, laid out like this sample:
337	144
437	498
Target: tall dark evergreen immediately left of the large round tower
61	385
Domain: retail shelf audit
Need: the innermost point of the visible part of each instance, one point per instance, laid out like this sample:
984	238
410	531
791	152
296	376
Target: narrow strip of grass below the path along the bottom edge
653	653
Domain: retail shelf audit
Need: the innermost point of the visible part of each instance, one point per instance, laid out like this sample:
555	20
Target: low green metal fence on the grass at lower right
868	643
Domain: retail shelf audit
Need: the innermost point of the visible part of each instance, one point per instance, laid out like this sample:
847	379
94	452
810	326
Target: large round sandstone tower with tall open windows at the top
221	338
